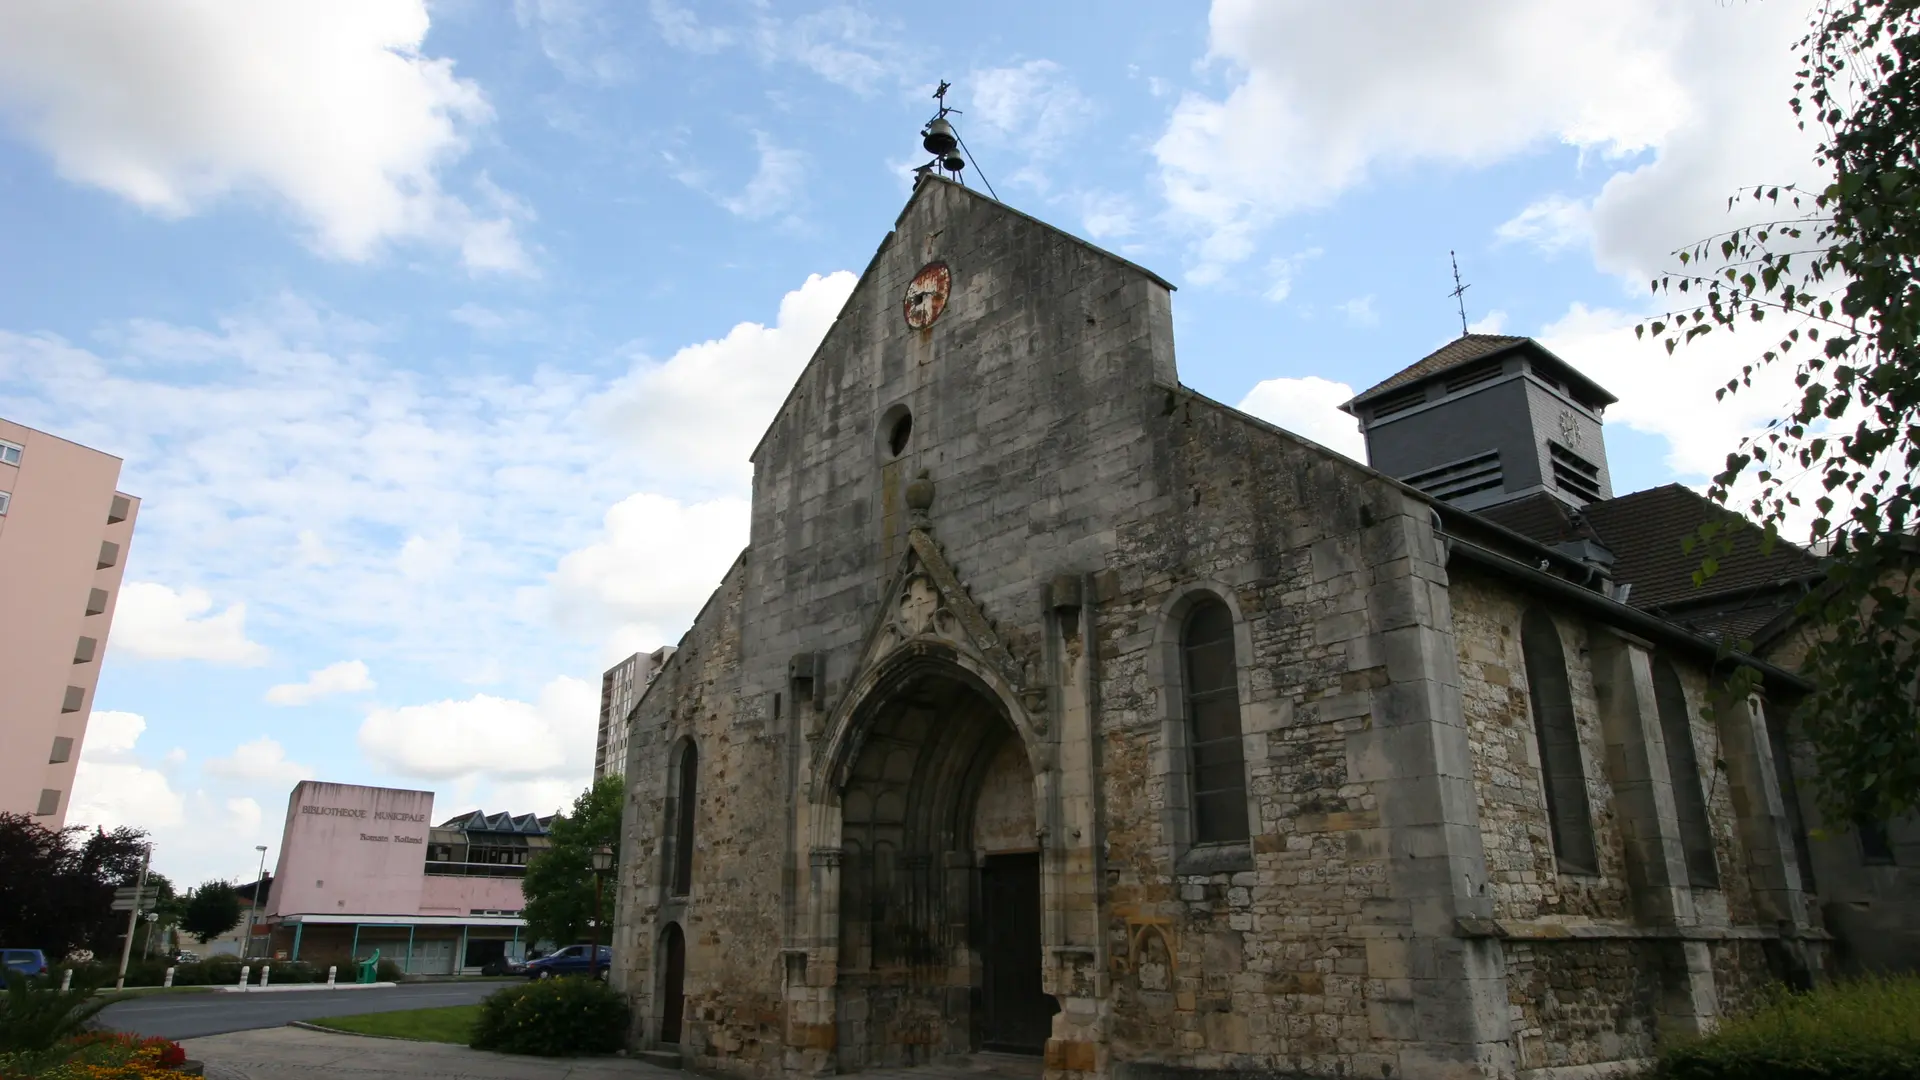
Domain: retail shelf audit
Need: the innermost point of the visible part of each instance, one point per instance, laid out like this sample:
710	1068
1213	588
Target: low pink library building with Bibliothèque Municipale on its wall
366	870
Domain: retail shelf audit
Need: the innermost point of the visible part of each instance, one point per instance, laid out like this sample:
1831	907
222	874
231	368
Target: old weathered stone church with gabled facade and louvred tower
1059	710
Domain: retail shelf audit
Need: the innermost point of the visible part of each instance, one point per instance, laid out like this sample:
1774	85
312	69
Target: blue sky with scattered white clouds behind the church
435	335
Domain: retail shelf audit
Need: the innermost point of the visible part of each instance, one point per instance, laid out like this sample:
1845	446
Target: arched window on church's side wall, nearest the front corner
1562	770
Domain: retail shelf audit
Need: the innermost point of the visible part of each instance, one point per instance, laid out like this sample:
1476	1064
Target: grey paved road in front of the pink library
195	1016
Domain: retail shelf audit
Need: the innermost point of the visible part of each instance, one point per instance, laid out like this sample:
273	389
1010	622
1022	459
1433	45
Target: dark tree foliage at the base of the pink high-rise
57	889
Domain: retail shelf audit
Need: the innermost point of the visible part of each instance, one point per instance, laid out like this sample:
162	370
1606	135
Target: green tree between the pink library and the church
560	881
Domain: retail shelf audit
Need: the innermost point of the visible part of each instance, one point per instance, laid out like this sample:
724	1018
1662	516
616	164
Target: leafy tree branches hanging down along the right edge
1831	283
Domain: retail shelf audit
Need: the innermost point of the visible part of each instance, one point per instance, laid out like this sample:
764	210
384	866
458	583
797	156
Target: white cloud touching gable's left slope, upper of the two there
708	406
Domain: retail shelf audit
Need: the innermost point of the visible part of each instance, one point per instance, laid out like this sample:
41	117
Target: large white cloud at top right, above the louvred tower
1328	95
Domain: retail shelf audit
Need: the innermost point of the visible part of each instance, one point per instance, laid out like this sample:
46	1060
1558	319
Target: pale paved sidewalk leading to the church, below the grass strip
295	1054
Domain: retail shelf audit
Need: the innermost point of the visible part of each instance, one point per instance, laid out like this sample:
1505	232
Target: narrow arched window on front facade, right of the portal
1212	685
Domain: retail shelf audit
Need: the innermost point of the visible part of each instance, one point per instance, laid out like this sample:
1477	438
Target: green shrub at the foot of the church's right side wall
1850	1031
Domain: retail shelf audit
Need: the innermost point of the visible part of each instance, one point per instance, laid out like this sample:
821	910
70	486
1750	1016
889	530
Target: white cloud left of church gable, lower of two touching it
650	570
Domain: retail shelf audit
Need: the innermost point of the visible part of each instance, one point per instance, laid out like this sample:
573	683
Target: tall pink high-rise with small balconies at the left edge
64	535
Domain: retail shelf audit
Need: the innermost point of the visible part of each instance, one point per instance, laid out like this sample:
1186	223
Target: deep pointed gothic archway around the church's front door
940	889
